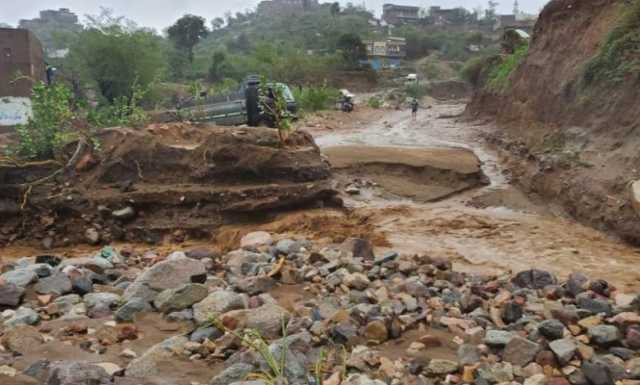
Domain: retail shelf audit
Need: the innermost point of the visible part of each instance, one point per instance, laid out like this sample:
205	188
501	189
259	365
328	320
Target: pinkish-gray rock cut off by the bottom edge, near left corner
77	373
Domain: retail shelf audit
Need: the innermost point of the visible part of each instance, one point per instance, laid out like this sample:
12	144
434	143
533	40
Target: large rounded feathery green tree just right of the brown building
115	55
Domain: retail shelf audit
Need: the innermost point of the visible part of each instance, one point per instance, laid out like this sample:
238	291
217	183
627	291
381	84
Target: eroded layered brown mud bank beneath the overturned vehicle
144	185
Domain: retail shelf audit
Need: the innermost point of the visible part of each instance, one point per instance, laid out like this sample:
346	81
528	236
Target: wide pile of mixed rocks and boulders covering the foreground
340	313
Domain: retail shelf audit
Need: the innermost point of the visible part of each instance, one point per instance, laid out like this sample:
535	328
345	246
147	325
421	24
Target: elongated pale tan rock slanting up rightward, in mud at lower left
148	364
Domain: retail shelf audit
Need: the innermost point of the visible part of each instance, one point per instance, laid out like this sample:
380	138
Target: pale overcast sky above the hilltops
161	13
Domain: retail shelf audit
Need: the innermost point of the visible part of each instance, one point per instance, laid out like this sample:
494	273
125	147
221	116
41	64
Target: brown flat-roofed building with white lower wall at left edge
21	64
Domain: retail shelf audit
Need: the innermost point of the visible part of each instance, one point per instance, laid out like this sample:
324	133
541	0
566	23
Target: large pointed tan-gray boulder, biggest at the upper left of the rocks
172	273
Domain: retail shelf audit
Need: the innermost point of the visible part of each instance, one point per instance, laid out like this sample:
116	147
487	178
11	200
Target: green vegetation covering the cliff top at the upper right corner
619	57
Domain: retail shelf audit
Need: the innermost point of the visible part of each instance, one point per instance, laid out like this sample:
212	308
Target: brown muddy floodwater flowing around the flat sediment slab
492	228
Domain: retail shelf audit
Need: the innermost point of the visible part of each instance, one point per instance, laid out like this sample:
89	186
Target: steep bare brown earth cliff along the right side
571	143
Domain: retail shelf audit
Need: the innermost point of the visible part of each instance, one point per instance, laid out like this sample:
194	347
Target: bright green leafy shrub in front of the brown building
50	125
